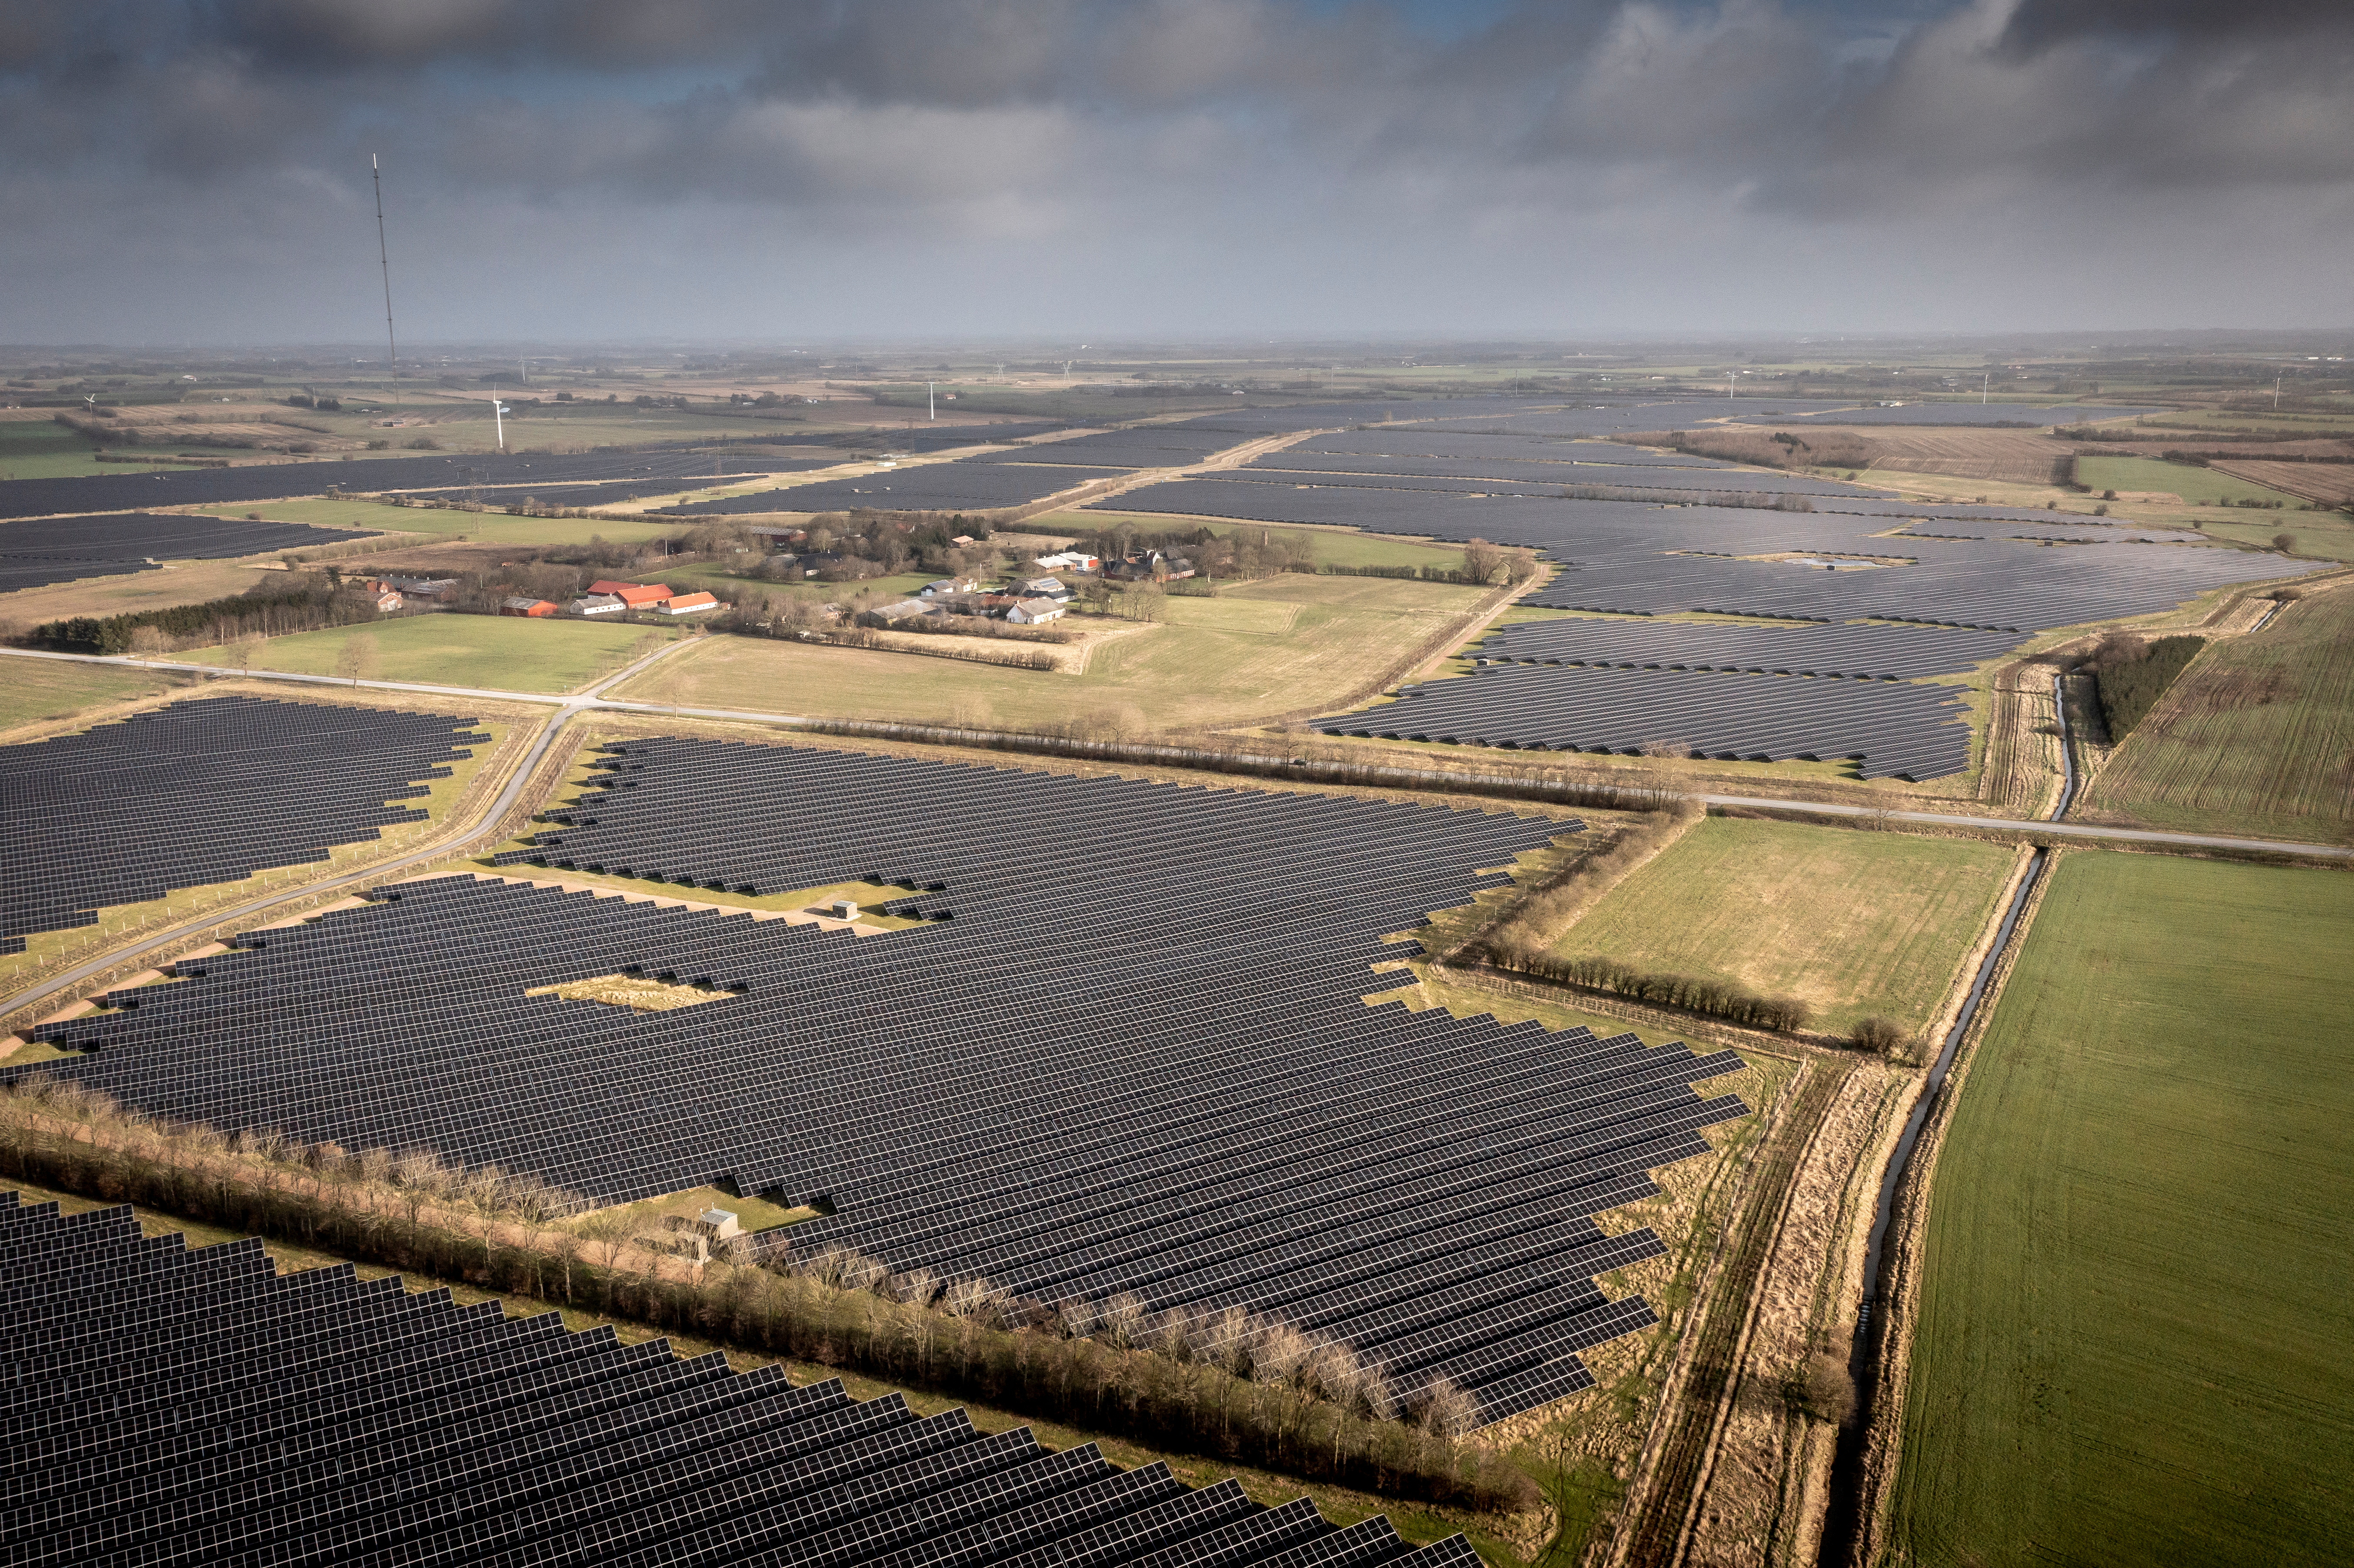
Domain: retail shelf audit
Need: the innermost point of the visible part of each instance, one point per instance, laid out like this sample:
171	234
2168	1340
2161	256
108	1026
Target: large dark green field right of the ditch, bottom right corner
2139	1287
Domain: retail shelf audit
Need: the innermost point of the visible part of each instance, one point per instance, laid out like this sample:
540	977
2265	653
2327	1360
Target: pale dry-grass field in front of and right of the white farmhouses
1254	651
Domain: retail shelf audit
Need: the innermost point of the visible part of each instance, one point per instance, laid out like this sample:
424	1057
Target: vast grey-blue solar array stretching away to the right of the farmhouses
1851	557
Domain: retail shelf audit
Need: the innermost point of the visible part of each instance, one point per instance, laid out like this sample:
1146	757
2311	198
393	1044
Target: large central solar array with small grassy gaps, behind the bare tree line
1129	1051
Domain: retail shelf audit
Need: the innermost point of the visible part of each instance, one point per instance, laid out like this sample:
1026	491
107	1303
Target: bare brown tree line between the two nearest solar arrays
1228	1386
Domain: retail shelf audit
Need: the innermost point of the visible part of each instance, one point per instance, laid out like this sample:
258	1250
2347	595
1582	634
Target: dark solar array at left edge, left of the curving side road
204	792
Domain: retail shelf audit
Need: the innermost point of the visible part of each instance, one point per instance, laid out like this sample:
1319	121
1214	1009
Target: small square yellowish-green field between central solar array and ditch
1851	922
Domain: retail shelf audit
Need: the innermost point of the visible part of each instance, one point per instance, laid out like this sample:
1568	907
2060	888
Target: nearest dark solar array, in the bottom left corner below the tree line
194	1407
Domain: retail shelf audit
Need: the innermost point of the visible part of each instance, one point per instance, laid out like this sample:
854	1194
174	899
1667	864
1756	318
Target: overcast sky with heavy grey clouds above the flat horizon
1124	168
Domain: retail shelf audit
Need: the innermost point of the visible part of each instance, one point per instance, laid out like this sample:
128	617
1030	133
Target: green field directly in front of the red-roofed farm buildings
493	651
